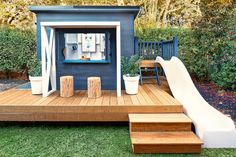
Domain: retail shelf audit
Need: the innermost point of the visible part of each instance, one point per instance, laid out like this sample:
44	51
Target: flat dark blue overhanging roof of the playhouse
86	9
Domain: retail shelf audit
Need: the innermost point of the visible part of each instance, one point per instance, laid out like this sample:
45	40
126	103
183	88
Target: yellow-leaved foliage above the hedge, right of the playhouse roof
166	13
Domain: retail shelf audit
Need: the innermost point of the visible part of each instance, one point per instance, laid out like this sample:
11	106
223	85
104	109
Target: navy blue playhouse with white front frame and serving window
85	41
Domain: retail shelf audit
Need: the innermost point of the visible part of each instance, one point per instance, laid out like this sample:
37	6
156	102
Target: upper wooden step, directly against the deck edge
159	122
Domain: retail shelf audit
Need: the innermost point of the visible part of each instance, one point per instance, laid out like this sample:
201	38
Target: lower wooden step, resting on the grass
165	142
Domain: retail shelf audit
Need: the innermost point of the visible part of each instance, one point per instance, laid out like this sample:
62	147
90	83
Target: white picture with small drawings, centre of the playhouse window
88	42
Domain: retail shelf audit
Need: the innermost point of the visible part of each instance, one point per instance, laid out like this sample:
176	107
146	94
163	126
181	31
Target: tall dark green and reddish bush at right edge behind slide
215	34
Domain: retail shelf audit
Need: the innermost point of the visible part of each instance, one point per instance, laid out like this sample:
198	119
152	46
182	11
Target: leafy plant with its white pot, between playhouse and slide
130	66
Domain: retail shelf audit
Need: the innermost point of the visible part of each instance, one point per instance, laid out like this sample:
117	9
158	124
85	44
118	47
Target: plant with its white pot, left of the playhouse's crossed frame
35	77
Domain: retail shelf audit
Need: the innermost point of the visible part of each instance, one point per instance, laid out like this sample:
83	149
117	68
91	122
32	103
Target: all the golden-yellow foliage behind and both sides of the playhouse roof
155	13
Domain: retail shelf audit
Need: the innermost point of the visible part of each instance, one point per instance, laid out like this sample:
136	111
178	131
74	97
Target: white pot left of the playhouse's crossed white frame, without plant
36	84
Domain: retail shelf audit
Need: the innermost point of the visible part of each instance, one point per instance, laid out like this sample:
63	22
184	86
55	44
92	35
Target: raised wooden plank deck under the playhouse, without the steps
21	105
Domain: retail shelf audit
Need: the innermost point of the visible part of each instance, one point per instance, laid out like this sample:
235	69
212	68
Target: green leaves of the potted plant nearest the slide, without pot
130	65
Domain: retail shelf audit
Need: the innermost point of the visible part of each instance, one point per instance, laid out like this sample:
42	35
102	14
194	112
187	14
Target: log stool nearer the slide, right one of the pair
94	87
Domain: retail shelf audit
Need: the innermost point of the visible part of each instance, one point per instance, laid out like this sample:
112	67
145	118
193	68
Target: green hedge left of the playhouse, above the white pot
17	50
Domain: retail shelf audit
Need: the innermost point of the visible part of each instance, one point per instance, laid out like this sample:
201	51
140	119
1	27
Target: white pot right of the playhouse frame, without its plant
131	84
